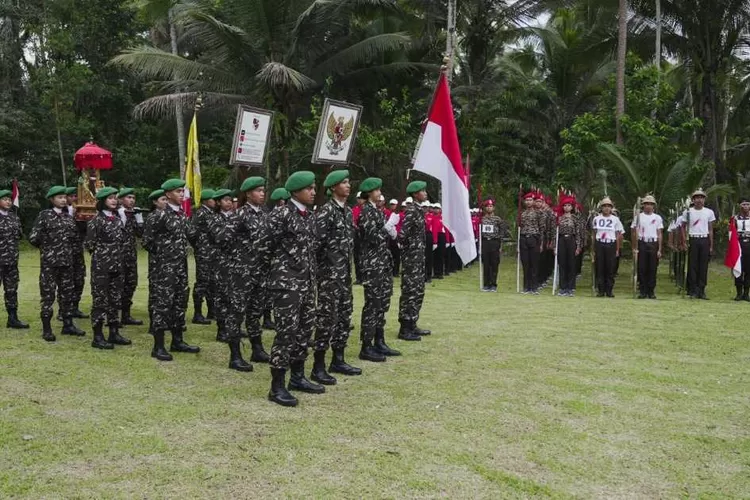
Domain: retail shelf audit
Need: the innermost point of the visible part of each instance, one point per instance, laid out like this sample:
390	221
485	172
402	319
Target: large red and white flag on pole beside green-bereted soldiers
439	155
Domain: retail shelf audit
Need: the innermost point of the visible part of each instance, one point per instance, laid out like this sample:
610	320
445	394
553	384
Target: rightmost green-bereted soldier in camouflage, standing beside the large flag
411	239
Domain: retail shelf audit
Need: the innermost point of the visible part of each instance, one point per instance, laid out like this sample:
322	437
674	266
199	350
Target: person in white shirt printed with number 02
607	234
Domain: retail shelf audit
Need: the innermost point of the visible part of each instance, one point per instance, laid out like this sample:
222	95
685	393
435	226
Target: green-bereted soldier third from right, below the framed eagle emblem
335	247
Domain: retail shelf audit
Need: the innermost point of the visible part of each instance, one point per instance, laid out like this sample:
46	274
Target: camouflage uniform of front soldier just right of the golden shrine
106	240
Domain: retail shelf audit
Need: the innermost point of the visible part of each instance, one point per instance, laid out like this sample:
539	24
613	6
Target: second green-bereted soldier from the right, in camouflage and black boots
377	274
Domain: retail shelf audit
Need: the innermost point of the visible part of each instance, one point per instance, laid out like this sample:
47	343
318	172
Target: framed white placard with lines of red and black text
252	133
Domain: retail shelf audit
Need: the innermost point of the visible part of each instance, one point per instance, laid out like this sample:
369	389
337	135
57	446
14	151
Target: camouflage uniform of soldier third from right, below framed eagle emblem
335	247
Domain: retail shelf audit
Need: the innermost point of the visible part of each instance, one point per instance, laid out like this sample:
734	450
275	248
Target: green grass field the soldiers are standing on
511	397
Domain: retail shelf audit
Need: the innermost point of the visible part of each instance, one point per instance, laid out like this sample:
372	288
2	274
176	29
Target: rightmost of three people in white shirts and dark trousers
697	229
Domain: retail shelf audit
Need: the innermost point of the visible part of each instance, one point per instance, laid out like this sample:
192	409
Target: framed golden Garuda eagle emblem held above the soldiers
337	132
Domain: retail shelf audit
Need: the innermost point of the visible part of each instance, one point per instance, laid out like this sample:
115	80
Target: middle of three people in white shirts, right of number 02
647	229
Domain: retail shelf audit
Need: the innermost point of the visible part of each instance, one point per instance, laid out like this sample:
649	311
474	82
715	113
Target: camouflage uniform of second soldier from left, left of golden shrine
55	234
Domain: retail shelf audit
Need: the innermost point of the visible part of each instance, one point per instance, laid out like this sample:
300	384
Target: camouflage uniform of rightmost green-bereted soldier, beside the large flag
412	243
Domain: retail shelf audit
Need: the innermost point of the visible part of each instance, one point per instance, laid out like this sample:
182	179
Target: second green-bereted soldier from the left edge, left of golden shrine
55	234
